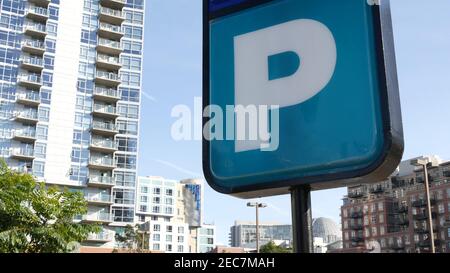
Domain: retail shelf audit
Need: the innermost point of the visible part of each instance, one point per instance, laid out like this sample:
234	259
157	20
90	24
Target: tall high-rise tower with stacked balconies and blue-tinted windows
70	89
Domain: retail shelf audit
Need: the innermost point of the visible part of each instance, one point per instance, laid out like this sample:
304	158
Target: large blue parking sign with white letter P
325	72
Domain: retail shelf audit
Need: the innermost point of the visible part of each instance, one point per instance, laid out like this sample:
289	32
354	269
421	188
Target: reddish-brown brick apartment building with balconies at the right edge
392	214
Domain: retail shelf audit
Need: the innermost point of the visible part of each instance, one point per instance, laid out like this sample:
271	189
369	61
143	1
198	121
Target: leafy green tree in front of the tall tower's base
39	219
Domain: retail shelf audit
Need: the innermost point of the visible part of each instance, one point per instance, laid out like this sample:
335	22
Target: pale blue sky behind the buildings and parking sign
173	72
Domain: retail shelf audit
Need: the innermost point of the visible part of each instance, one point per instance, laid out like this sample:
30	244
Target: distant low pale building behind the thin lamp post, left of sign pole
243	234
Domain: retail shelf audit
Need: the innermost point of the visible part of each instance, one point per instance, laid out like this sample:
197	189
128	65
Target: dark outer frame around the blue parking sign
393	147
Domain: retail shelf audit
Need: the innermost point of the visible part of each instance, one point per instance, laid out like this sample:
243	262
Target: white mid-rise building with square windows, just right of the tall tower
172	213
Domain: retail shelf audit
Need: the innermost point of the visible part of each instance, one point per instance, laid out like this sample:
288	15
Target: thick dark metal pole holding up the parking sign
302	219
